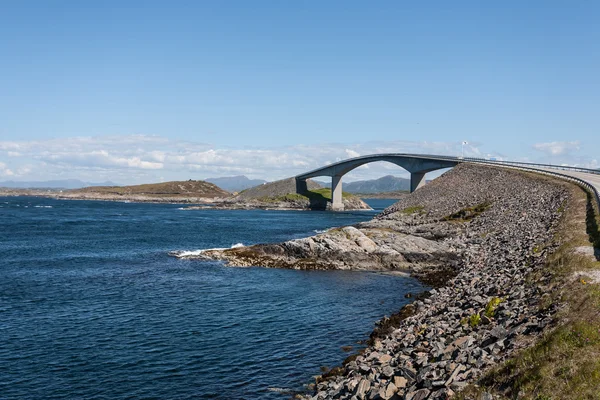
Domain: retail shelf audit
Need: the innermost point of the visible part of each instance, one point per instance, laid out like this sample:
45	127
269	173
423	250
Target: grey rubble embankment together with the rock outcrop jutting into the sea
480	236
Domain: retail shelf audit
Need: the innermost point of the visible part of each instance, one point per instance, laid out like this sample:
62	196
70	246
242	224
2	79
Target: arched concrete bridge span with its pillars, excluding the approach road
417	165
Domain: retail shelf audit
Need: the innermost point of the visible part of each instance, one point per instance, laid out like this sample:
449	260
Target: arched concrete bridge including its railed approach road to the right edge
419	164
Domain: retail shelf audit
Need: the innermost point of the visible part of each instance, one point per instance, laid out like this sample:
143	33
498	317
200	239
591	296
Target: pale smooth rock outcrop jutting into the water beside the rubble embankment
370	249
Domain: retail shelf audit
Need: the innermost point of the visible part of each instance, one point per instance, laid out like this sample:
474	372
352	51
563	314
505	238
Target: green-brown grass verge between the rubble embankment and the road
565	363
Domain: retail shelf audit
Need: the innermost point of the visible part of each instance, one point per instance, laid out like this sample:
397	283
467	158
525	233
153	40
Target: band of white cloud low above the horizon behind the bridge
140	158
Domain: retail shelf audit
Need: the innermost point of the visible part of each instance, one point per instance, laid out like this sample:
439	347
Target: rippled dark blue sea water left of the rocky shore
92	306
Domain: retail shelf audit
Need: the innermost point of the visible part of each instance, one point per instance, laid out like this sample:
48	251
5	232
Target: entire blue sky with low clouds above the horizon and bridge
143	91
